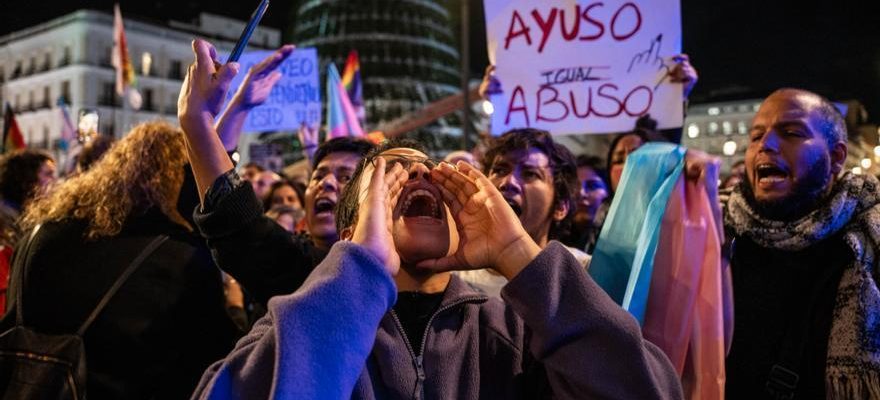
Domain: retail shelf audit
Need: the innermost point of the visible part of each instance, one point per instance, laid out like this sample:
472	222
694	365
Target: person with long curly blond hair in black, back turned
168	321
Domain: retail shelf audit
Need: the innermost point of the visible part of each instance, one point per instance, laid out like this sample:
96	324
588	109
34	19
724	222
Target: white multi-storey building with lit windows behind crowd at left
70	58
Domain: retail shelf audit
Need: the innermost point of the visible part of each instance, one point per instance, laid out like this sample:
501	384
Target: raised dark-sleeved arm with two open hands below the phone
264	258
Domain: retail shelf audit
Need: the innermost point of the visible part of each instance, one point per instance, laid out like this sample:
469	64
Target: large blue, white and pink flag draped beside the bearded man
659	257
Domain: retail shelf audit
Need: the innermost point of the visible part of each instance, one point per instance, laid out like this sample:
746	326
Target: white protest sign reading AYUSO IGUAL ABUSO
574	67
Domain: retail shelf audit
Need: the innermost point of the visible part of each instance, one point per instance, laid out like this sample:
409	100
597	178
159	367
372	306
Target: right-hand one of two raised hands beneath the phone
260	79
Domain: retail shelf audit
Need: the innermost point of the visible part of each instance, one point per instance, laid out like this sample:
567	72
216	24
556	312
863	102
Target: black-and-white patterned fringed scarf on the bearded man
853	362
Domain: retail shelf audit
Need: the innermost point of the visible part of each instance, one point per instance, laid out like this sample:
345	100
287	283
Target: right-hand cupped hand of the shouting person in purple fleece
490	234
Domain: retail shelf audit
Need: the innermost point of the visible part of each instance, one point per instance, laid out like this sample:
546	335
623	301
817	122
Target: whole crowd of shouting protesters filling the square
518	271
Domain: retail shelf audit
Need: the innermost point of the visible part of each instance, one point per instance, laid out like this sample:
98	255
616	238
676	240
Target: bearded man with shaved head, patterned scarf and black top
806	302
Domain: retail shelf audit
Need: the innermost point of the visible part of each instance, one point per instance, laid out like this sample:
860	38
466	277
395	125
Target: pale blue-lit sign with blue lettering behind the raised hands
296	97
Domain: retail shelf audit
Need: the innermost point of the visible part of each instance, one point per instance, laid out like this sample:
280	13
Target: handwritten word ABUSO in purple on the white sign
605	101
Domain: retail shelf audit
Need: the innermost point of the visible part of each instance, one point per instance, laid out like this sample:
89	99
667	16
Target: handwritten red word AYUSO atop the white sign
625	22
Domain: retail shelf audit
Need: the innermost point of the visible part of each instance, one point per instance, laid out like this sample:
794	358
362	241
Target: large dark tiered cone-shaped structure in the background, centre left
407	53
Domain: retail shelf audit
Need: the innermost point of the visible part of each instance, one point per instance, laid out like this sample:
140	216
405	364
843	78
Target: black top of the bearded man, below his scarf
783	305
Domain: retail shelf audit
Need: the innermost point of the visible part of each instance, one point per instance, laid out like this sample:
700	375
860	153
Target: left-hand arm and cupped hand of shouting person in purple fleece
339	308
